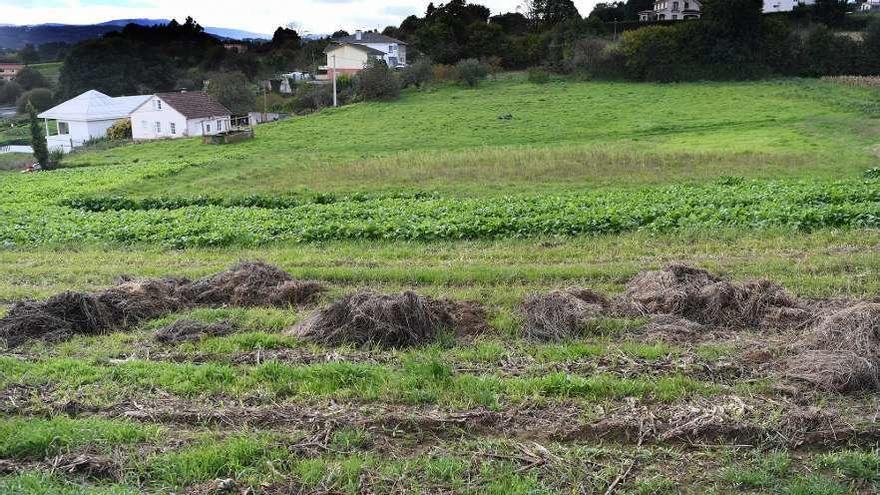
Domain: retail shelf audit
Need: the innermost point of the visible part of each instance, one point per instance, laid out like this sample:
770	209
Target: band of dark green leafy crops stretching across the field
78	206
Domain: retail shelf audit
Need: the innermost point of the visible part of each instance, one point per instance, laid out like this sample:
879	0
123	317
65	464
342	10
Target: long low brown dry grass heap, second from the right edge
698	295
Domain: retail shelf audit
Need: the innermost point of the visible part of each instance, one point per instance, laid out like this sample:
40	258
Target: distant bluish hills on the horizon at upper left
18	36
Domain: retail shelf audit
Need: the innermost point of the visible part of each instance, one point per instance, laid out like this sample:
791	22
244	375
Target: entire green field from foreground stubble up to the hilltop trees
518	289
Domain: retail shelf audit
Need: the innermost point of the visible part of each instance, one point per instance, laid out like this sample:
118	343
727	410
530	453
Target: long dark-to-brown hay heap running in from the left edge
131	302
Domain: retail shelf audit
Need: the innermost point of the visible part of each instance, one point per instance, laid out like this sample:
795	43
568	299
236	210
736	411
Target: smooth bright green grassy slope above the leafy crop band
571	135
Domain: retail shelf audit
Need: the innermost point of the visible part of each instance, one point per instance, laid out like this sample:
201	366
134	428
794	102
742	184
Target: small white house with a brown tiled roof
174	115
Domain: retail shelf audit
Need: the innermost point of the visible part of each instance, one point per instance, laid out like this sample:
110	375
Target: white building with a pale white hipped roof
86	117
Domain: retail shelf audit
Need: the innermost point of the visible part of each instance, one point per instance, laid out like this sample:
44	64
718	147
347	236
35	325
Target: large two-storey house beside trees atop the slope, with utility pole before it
350	54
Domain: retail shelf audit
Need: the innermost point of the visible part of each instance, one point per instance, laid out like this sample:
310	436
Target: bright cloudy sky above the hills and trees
261	16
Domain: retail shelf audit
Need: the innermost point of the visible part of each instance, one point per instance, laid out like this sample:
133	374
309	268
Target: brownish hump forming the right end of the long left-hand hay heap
252	283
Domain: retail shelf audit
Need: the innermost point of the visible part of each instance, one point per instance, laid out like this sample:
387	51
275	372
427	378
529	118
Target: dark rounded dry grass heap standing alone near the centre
367	318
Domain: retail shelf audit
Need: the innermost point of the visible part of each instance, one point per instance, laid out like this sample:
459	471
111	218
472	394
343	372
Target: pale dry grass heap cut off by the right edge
842	352
